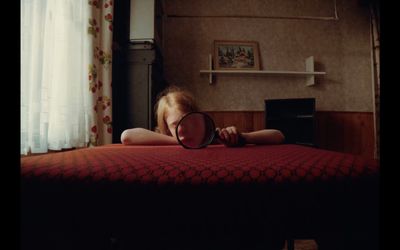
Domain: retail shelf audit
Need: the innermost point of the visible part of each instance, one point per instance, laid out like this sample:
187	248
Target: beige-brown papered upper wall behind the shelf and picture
340	47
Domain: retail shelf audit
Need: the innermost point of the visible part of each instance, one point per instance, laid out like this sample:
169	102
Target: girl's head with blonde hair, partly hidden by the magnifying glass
172	104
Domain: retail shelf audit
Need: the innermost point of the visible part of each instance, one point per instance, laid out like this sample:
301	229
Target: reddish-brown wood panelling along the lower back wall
348	132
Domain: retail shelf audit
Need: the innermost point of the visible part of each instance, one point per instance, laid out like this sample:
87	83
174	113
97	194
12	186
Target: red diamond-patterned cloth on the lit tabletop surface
215	164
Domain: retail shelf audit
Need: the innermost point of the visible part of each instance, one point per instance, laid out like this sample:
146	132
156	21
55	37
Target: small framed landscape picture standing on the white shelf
236	55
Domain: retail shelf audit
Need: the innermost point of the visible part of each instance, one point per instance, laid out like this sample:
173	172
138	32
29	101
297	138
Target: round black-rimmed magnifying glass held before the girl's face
197	130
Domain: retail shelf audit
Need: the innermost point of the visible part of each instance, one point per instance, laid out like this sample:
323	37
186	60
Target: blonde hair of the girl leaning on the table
172	97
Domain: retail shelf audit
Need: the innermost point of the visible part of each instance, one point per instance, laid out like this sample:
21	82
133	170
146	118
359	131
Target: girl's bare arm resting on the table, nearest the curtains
141	136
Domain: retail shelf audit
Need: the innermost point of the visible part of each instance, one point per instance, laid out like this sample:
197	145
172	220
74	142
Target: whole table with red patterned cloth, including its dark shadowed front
168	197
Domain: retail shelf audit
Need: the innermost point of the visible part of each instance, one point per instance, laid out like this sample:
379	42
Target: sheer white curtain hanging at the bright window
55	54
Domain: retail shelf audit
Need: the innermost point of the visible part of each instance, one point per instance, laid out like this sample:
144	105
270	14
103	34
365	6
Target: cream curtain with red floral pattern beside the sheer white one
100	71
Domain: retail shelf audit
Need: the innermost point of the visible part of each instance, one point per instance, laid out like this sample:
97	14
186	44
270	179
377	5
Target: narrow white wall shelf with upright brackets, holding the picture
309	73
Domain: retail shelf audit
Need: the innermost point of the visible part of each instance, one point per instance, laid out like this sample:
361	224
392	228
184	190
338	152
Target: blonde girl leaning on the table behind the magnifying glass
173	103
